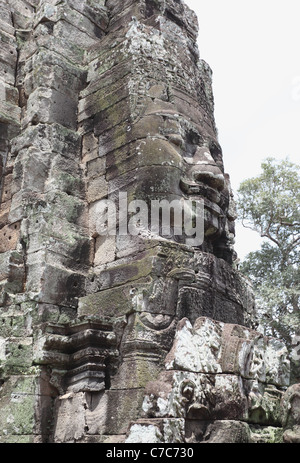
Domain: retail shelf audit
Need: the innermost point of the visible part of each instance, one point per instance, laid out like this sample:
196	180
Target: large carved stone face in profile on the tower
174	159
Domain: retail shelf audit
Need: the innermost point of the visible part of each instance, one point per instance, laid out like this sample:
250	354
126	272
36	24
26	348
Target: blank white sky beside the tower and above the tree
253	50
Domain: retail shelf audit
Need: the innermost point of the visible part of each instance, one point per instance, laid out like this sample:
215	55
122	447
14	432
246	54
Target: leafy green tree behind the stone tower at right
269	204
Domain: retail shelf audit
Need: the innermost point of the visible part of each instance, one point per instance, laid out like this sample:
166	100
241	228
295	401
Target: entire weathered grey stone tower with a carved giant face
140	337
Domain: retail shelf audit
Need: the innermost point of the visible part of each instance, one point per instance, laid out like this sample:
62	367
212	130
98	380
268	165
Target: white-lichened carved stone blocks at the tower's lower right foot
198	385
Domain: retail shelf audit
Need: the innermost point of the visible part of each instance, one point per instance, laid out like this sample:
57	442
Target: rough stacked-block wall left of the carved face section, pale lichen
45	244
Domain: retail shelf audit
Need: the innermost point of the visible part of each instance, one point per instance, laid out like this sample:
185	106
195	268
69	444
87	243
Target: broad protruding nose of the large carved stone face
206	171
